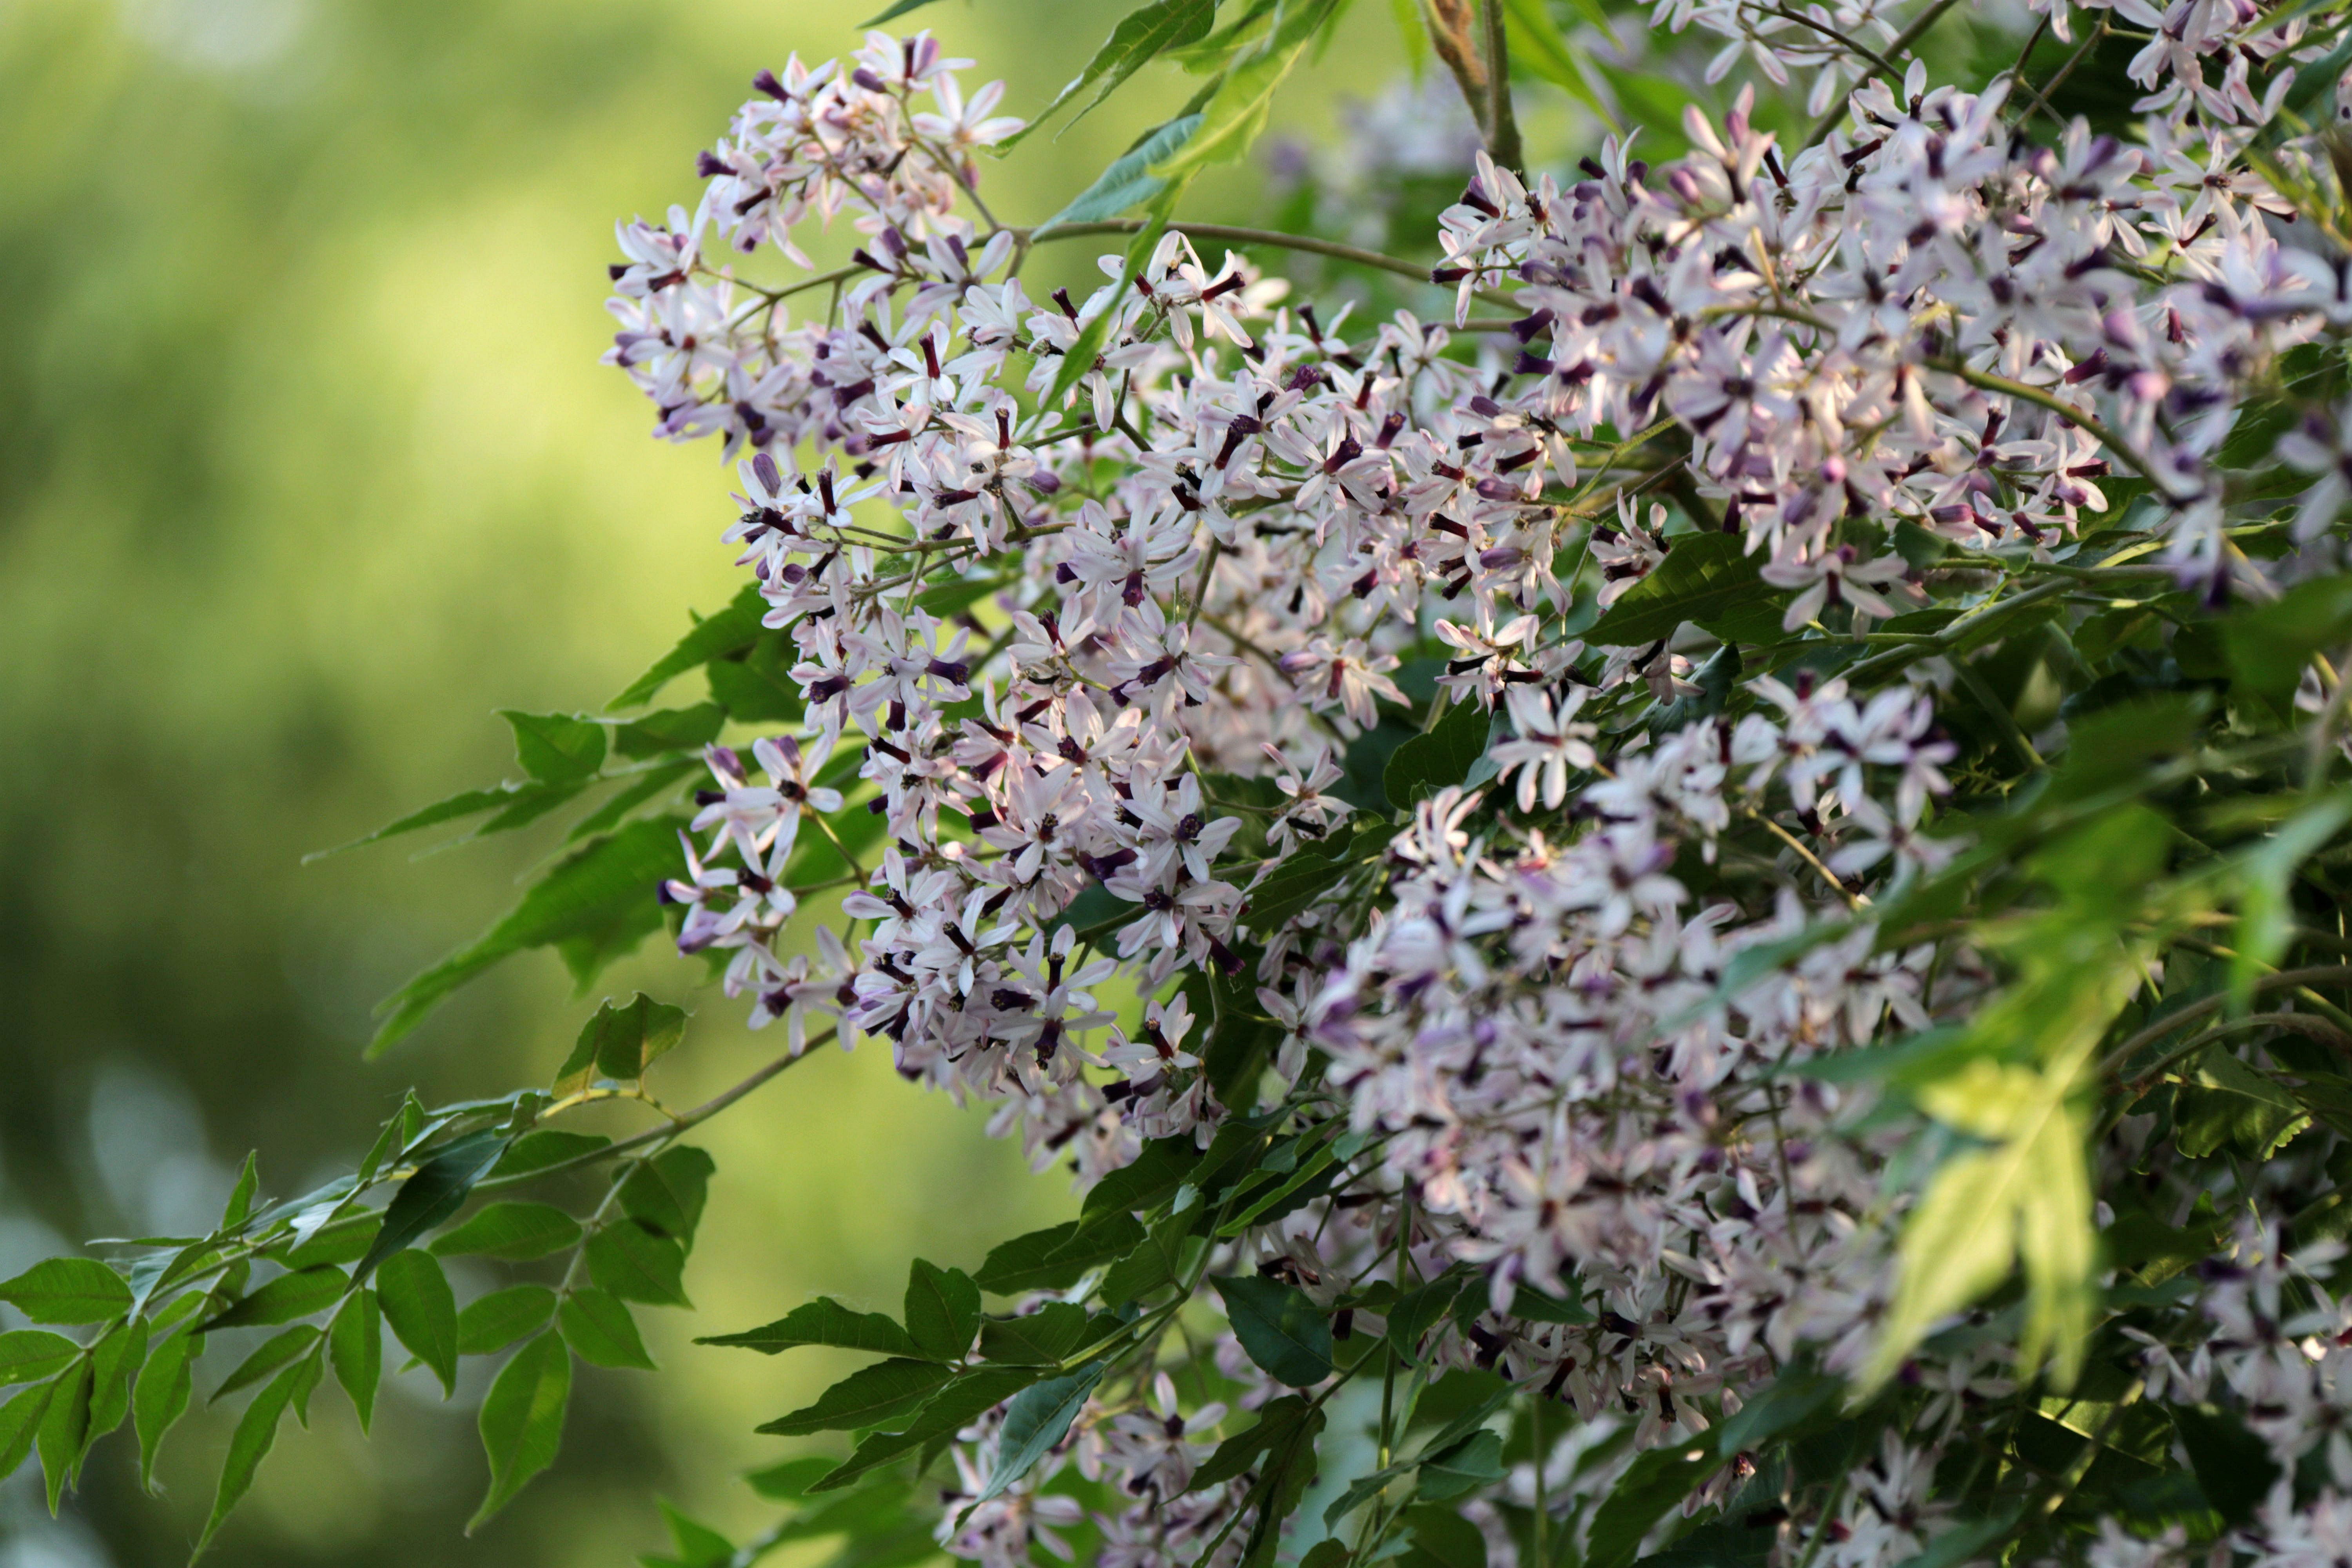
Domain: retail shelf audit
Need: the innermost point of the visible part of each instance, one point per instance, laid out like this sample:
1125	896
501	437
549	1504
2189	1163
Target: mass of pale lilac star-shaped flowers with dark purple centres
1104	650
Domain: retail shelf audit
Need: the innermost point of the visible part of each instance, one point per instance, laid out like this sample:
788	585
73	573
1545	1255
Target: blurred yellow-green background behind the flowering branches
307	464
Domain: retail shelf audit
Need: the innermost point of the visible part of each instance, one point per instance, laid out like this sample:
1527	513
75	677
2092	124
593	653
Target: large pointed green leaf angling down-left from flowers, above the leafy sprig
601	902
